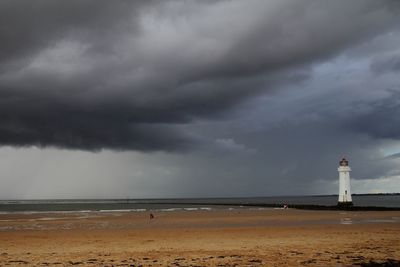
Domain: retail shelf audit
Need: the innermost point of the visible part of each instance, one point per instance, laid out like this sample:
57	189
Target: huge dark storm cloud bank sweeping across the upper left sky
125	74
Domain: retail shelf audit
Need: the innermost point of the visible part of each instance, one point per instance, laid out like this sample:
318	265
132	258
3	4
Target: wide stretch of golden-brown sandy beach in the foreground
267	237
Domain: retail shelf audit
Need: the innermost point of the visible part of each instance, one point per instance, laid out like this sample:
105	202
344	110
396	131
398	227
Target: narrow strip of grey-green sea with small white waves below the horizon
184	204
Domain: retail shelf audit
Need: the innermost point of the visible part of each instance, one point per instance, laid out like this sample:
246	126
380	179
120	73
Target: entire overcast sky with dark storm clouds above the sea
170	99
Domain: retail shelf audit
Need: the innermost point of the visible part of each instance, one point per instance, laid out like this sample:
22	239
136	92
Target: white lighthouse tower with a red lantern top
344	184
